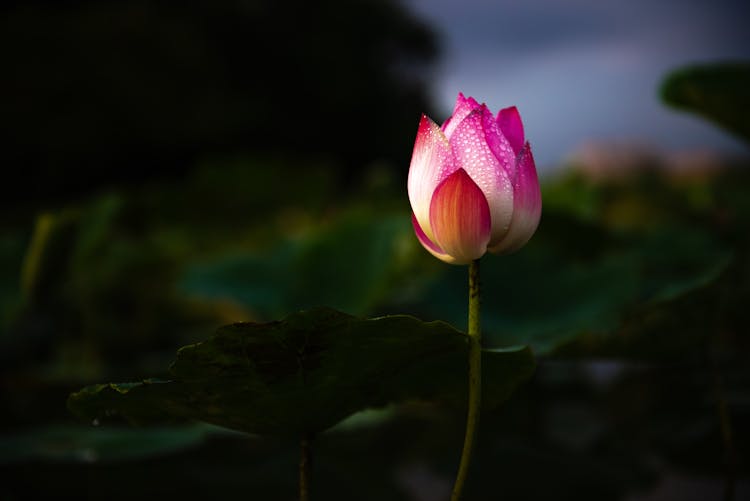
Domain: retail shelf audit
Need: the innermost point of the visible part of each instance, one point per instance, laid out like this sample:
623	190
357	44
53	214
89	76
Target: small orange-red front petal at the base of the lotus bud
460	218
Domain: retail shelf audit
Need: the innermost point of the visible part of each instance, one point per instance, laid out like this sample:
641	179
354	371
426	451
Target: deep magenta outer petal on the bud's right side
527	210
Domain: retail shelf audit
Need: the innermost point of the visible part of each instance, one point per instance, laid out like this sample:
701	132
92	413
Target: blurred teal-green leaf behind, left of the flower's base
349	267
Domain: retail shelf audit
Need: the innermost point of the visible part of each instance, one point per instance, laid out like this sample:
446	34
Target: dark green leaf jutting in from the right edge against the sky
718	92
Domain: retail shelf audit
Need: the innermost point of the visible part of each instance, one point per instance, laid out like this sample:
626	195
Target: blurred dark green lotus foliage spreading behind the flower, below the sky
633	294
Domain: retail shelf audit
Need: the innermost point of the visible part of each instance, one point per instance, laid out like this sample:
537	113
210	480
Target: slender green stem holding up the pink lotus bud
475	380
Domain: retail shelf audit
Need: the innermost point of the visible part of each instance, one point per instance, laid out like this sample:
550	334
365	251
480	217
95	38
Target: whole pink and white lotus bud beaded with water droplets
472	184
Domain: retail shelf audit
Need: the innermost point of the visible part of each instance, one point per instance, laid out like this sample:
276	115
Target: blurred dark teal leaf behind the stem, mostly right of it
556	292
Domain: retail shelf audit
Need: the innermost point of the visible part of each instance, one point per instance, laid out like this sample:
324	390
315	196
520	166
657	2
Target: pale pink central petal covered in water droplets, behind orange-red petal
473	154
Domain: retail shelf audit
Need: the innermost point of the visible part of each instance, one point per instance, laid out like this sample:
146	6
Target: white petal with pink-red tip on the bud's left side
431	161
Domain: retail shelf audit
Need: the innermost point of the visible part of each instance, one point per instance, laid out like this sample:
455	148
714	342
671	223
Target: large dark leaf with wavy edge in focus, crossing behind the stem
306	373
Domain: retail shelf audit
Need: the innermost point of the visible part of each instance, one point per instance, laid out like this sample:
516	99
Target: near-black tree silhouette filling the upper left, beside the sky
112	92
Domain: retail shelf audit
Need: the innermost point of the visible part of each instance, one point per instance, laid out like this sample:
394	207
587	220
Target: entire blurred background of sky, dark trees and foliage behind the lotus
172	168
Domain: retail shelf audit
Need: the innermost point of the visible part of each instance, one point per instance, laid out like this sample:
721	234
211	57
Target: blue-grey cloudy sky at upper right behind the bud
585	72
